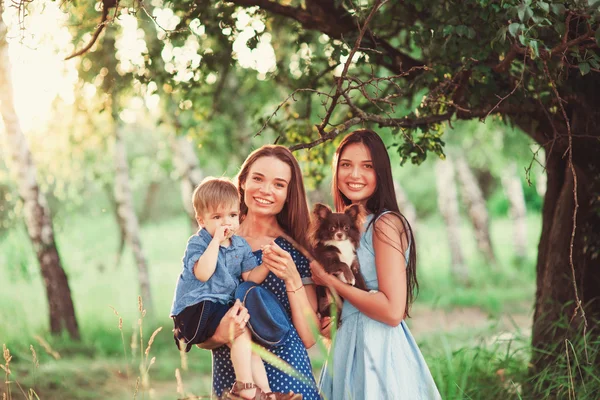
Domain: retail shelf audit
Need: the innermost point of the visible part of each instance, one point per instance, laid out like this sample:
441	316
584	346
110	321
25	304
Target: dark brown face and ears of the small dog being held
330	226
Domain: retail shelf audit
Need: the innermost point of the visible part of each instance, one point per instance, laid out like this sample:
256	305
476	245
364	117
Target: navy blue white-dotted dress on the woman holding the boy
292	351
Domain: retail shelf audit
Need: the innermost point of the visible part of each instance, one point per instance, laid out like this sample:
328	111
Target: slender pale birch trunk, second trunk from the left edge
126	212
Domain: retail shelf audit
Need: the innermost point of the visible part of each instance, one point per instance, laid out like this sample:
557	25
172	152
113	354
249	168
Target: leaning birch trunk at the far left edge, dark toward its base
35	208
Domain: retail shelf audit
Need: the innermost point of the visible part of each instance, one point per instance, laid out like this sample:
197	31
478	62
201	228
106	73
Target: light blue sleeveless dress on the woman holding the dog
372	360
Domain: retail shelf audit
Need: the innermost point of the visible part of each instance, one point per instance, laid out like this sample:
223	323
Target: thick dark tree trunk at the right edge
554	319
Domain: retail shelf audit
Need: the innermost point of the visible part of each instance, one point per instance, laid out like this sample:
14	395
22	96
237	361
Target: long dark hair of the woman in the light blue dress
383	199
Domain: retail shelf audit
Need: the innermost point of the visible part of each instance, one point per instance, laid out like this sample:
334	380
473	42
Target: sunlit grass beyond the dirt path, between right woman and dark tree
511	283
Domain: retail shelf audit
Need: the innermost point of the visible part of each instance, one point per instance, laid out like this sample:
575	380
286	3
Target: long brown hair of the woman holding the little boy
294	218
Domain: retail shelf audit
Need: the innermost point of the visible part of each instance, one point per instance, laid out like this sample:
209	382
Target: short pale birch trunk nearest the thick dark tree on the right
518	212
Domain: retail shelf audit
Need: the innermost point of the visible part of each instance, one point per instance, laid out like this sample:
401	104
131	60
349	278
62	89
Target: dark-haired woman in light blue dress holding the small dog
374	353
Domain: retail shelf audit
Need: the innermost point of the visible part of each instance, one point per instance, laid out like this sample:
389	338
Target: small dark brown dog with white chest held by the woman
335	237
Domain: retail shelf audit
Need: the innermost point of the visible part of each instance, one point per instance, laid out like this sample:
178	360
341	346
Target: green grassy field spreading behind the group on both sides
107	361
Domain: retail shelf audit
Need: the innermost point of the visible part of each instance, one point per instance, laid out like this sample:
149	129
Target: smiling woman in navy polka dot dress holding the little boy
273	205
